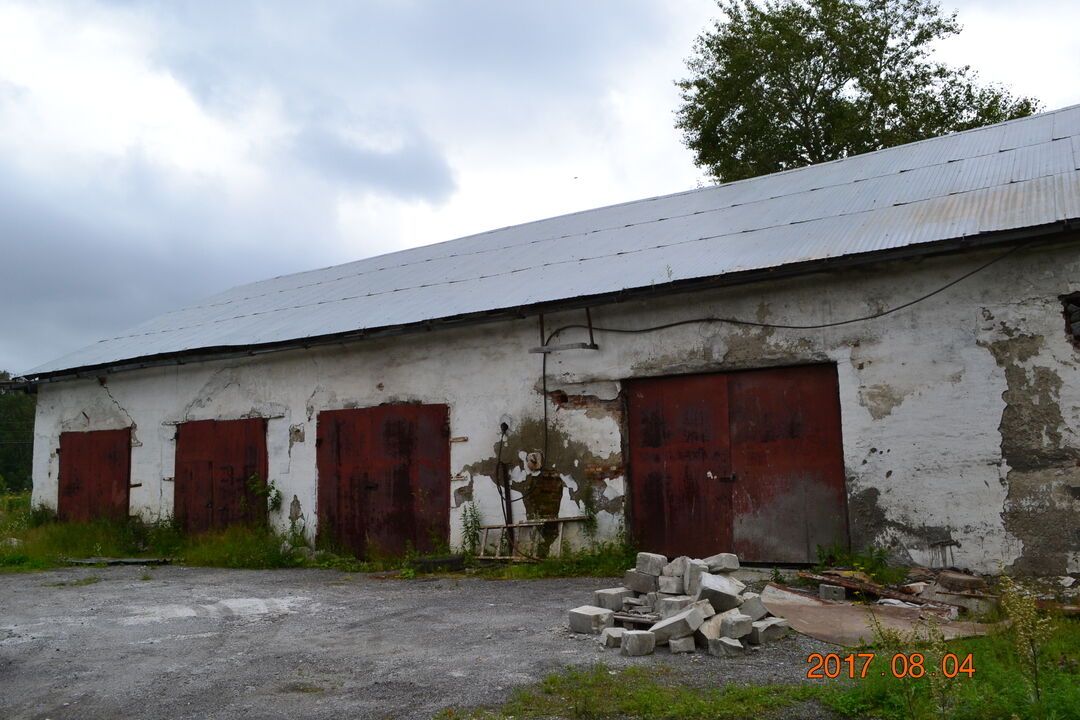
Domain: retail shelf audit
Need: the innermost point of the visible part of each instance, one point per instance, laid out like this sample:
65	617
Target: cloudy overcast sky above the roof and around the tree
153	154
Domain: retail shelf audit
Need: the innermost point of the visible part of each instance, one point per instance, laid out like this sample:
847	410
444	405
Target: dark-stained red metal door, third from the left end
384	479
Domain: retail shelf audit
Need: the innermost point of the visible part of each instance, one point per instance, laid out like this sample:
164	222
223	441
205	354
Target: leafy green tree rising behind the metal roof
794	83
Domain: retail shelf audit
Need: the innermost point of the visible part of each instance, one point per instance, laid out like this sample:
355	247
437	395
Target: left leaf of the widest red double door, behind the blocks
681	459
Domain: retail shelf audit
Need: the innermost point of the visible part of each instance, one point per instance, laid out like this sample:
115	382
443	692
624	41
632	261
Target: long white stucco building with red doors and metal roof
881	350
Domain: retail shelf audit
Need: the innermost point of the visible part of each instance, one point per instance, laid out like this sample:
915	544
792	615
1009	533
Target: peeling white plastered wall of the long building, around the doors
922	391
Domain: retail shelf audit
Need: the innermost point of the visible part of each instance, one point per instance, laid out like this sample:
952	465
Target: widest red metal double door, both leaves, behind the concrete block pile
747	463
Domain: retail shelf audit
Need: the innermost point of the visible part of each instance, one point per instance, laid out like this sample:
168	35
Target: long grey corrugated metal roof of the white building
1009	176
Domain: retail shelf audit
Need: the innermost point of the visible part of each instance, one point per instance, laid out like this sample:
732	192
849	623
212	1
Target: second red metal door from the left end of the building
221	474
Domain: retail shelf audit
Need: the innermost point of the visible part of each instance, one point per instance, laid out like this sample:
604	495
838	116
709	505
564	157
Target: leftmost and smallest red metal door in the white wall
96	476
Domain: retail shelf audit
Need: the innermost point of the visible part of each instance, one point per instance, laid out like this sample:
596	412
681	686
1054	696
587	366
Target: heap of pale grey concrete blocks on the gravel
685	604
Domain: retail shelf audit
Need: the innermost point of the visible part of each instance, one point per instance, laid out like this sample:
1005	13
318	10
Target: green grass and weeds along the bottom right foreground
996	691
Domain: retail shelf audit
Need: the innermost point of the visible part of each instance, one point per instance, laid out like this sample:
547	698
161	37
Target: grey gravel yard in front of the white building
197	643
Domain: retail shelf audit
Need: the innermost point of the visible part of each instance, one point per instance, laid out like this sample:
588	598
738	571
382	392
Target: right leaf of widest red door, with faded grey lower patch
789	455
